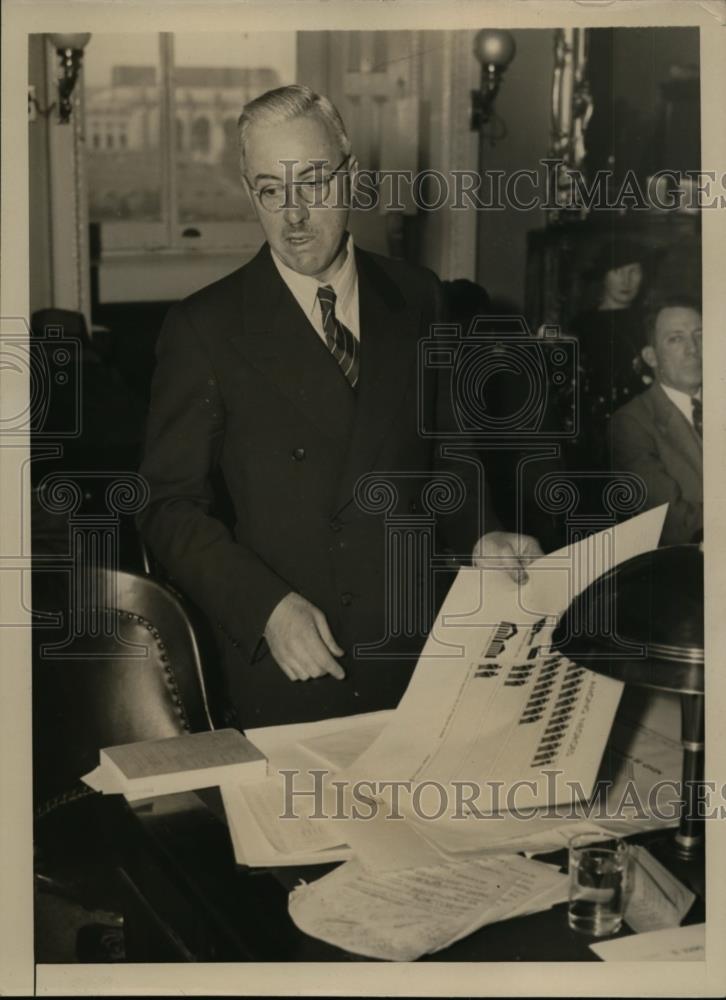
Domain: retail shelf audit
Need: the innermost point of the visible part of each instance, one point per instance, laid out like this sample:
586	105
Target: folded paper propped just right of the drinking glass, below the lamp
657	900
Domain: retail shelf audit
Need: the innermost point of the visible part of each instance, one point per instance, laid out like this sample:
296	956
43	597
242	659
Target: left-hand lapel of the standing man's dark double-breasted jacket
278	340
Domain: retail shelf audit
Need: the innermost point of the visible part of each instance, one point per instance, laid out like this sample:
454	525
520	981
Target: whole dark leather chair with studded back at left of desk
119	663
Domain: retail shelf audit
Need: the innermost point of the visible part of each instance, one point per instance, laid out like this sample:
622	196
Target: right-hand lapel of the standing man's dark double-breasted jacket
387	363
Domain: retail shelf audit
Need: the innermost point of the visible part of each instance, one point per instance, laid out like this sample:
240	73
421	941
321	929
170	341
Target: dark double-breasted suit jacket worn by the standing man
244	385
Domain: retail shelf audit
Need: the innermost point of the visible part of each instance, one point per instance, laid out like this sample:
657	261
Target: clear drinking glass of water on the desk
599	884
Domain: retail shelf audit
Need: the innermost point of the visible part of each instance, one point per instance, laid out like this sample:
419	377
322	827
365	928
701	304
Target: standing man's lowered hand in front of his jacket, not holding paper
300	640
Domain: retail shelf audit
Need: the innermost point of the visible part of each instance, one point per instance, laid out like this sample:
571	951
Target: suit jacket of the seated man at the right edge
650	436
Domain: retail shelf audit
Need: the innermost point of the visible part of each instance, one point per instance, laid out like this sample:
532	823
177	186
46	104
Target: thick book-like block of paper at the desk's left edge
177	764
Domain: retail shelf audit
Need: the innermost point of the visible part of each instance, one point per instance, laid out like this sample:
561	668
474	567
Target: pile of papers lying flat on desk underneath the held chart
638	757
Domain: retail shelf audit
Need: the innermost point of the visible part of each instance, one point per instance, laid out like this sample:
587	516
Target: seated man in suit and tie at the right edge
658	434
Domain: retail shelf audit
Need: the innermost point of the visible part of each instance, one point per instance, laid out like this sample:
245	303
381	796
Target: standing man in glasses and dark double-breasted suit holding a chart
293	377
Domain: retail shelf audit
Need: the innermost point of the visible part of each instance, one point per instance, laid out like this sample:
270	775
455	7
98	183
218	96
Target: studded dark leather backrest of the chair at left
117	664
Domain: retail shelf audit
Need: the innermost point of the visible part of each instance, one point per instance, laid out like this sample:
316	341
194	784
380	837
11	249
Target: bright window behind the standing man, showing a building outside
161	121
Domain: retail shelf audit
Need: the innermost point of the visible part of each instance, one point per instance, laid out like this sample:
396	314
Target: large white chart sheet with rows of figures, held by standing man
488	699
